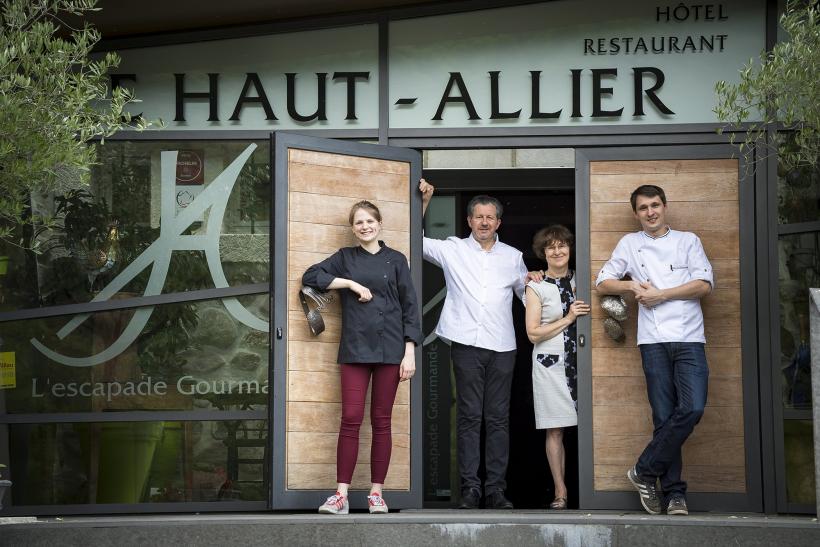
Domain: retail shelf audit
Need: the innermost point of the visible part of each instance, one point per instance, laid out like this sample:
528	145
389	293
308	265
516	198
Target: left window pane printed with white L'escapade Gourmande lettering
186	356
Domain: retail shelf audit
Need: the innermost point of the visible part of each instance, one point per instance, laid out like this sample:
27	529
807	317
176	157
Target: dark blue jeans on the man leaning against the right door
677	378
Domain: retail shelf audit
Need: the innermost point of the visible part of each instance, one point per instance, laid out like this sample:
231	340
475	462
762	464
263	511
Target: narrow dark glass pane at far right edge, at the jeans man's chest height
799	270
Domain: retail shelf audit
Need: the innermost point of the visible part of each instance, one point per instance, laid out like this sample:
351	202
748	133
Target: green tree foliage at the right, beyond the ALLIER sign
780	91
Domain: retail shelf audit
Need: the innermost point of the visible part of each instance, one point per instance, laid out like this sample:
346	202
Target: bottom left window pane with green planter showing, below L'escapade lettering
138	462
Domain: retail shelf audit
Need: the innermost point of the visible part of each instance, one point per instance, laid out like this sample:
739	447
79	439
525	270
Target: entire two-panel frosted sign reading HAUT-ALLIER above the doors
562	63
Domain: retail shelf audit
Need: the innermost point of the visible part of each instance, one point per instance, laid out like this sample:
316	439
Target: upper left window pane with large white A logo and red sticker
116	234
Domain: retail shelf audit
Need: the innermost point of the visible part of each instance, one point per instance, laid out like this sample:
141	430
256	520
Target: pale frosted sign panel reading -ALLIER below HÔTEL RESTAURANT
570	63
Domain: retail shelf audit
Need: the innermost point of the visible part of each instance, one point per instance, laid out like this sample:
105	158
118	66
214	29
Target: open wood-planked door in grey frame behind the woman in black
320	185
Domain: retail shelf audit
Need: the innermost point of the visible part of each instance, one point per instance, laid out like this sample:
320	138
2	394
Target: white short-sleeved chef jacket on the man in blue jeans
667	261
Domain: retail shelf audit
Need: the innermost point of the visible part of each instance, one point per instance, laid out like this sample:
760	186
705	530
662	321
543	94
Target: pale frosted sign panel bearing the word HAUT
320	79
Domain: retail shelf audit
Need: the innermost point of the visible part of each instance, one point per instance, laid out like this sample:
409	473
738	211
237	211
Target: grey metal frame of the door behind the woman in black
281	496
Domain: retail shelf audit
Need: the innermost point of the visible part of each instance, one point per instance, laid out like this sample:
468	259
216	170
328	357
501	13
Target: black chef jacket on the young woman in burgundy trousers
374	331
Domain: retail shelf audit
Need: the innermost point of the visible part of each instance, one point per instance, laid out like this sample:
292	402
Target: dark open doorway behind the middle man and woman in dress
532	198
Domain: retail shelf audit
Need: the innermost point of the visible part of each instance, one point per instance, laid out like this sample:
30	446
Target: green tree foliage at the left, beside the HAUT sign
54	100
